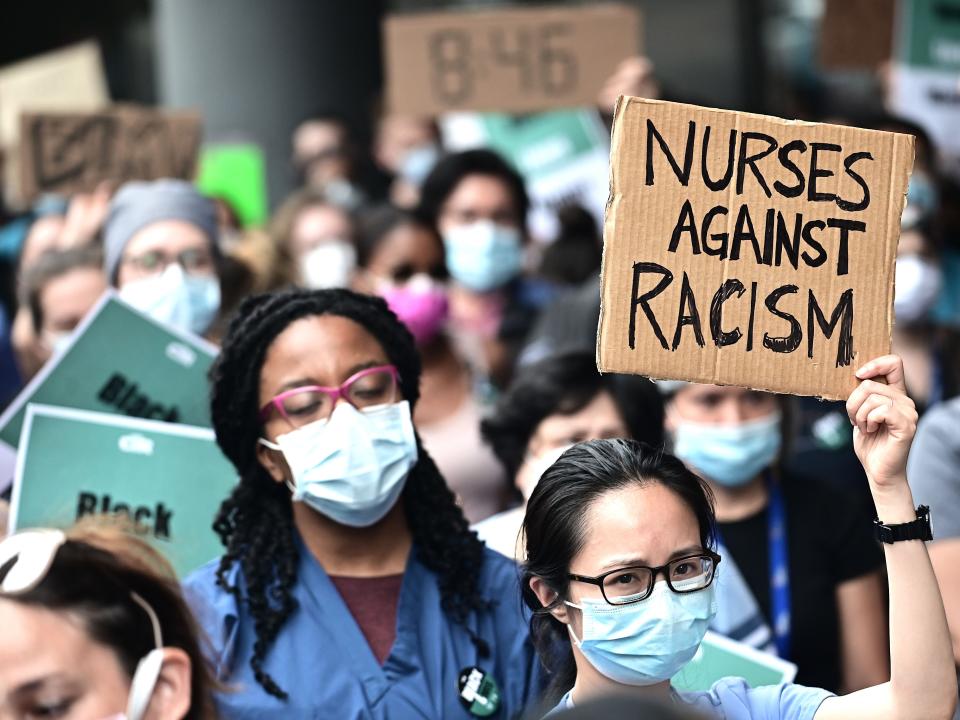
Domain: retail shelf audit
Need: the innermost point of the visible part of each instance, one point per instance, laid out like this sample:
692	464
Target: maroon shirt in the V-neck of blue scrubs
373	604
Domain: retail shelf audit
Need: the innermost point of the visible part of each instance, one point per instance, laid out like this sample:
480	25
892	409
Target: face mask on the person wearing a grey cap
187	302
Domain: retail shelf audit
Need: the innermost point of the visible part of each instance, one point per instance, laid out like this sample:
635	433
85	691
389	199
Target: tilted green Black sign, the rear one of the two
118	361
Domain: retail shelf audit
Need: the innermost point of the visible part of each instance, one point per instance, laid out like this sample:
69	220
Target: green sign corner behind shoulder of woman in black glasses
720	657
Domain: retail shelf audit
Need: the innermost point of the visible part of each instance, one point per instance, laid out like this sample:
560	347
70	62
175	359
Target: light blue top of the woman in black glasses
733	699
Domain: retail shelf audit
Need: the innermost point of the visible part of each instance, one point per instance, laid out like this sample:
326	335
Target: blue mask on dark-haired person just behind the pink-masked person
483	256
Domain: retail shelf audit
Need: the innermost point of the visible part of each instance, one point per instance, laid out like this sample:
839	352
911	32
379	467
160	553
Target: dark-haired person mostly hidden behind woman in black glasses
550	406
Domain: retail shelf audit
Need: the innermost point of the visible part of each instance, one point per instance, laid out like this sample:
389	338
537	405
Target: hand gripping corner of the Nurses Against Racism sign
884	420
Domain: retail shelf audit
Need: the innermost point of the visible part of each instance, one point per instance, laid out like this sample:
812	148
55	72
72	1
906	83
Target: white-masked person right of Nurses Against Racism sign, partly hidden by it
929	353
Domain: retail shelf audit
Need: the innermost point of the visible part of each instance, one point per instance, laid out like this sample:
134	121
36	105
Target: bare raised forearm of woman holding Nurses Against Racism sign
922	676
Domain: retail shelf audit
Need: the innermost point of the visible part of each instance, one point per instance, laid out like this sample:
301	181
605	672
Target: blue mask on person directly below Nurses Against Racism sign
729	455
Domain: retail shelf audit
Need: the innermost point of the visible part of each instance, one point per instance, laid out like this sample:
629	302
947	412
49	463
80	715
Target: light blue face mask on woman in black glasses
647	642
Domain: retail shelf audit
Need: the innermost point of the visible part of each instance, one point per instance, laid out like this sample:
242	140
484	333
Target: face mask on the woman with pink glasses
353	466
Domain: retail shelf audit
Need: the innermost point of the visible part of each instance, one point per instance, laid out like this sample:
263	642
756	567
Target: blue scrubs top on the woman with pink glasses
322	660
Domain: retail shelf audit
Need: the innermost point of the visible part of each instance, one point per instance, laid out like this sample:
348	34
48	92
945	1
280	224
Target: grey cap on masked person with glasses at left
139	204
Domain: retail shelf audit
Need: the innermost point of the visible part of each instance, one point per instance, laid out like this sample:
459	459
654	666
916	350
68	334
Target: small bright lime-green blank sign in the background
236	172
